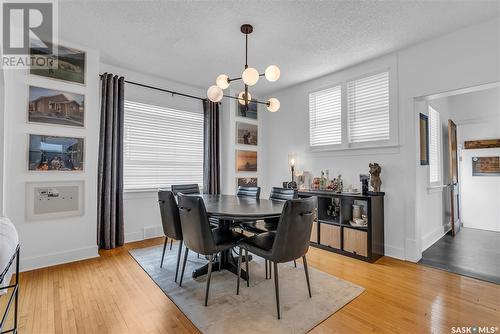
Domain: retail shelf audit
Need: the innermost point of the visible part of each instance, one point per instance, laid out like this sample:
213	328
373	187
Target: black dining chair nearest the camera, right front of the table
289	242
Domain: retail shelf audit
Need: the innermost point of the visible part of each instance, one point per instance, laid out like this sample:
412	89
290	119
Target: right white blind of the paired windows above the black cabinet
368	108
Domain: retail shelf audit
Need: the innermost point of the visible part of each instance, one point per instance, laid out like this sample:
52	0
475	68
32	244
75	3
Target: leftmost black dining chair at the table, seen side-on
171	223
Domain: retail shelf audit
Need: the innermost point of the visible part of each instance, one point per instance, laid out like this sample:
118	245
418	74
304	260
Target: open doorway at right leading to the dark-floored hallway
460	230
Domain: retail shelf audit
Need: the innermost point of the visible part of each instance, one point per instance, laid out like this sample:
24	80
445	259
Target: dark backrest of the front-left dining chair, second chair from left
196	229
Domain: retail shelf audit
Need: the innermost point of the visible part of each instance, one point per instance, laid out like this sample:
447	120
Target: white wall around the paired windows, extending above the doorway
467	57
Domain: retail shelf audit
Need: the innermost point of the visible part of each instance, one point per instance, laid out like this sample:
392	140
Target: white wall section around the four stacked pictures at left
54	241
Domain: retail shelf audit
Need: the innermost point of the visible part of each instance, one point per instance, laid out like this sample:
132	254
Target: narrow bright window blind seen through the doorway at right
434	146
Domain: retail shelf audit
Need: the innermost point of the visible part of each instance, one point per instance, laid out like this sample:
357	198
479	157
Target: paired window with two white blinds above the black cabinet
356	113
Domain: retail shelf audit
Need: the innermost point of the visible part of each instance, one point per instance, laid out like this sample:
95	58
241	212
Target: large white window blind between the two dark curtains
162	146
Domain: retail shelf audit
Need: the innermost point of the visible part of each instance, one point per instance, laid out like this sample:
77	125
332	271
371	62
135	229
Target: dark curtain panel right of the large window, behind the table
211	155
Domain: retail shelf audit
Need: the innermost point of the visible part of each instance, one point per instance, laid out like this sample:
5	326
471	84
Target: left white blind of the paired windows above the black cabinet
325	117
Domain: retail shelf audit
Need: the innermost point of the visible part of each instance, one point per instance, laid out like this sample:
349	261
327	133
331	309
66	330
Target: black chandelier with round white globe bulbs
250	77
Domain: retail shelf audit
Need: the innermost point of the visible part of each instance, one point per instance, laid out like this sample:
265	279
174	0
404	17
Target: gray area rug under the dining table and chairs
254	309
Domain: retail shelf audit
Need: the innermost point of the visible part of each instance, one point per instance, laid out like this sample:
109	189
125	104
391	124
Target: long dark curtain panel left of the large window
110	165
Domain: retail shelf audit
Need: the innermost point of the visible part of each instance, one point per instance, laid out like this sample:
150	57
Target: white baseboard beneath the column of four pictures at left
53	259
